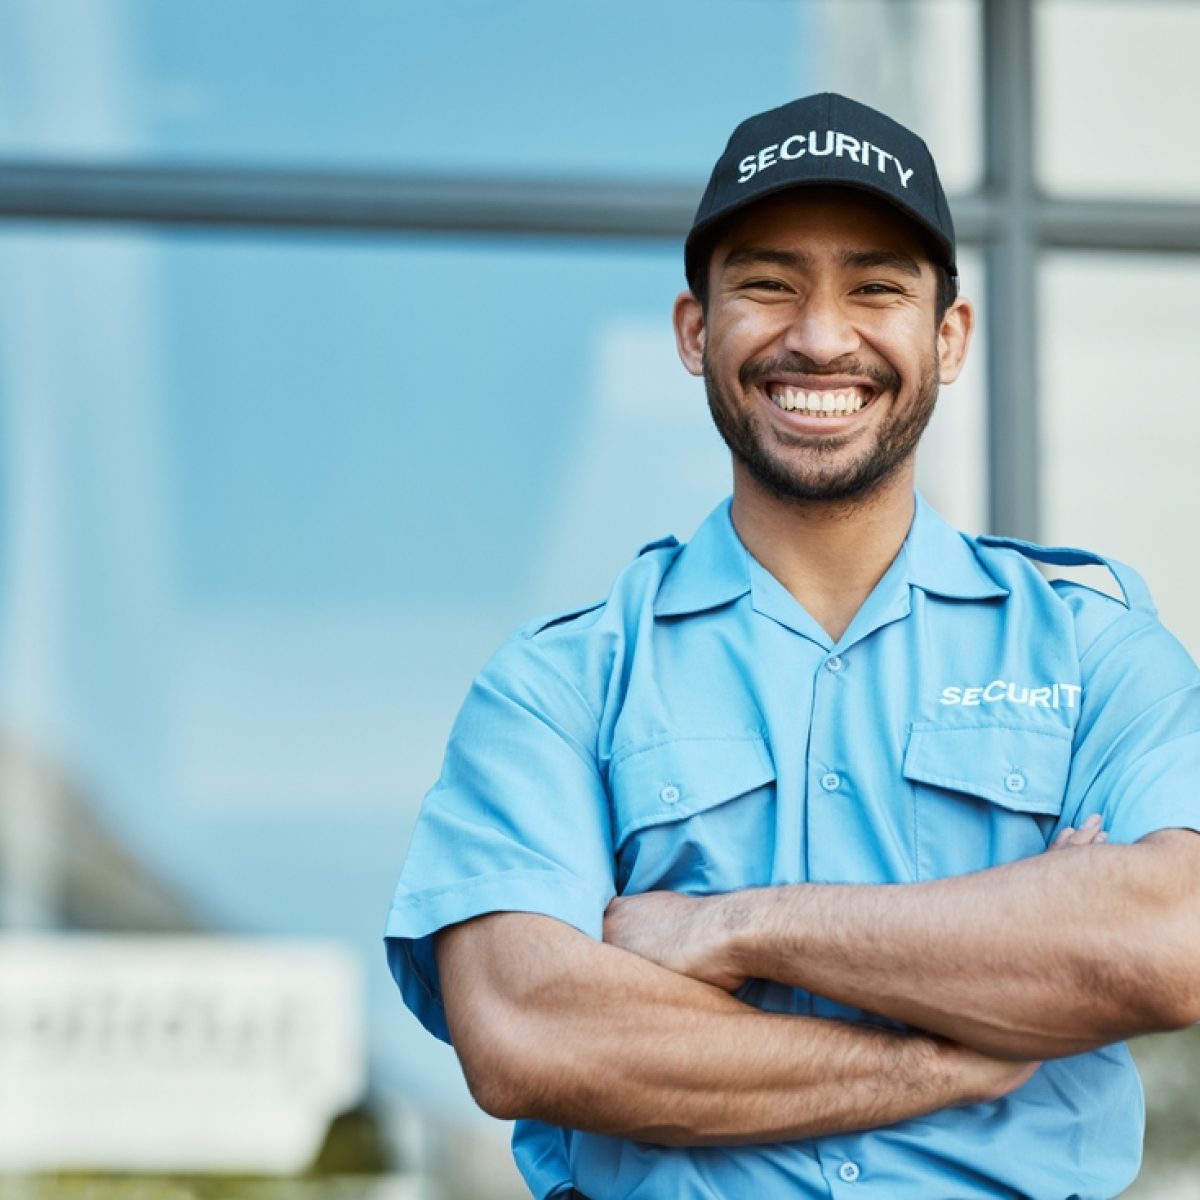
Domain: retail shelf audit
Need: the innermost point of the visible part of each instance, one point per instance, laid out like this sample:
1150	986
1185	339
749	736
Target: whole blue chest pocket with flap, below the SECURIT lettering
985	795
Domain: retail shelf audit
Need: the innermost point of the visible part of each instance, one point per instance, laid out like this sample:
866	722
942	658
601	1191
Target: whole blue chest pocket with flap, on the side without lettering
694	814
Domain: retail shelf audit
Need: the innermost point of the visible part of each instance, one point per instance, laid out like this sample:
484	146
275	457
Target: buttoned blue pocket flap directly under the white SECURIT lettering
1021	769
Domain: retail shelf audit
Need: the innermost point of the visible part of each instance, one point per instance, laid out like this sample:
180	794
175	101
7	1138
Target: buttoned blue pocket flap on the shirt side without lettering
677	779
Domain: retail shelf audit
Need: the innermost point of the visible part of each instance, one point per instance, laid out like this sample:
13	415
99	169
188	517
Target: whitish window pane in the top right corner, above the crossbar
1117	92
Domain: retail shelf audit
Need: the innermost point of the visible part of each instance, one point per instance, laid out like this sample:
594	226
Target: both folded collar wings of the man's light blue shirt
713	569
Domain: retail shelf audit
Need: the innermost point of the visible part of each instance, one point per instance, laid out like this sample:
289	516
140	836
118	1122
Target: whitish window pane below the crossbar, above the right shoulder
1118	463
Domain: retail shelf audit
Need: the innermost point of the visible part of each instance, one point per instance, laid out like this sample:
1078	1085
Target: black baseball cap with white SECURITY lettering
831	141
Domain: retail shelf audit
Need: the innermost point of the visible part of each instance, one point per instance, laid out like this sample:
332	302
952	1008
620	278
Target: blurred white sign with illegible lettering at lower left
182	1054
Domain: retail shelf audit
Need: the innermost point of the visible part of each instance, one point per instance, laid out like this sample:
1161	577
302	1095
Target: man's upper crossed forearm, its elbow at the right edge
1042	958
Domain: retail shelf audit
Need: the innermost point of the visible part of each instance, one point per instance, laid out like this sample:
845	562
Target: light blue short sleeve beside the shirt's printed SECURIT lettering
1137	757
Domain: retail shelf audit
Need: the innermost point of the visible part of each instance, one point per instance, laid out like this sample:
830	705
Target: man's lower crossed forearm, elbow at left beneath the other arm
554	1027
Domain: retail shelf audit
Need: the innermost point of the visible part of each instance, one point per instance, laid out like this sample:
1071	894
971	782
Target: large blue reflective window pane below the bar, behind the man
274	501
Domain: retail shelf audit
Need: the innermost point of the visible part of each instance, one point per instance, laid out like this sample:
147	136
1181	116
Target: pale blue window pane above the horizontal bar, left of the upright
535	87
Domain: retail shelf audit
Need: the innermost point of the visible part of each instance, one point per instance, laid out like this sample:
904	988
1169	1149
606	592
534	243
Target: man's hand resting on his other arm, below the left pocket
685	934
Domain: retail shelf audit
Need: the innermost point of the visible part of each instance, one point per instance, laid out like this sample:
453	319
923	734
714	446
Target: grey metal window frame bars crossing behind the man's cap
1009	219
